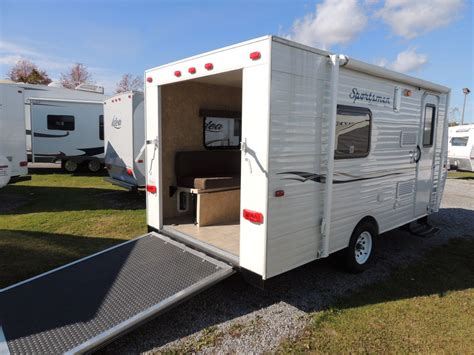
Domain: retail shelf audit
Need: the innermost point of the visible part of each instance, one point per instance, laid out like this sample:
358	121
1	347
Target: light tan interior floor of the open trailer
223	236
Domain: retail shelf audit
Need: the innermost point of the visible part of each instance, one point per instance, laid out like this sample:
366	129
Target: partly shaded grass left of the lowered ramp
57	218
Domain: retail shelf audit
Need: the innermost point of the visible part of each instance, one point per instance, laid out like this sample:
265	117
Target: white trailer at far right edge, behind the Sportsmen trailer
461	147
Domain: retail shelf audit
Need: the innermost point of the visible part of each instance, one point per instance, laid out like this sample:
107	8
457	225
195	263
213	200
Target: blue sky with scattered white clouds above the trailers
430	39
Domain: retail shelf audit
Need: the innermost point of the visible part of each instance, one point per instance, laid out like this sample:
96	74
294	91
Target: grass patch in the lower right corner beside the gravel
427	307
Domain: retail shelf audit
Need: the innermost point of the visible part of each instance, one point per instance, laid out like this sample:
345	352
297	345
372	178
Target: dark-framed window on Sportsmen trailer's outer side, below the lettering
353	127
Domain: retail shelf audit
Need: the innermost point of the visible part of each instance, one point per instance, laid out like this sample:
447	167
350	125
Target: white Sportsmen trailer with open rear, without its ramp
333	152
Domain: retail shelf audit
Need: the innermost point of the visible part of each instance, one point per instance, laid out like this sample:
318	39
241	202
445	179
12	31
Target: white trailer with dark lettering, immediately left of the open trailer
124	134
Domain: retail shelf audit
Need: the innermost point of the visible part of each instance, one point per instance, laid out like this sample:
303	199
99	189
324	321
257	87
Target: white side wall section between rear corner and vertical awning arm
299	112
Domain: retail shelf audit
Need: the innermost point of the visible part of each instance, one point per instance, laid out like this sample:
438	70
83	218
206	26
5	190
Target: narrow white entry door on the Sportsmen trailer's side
425	154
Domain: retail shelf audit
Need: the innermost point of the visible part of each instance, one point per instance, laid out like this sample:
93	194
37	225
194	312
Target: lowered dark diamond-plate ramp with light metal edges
86	303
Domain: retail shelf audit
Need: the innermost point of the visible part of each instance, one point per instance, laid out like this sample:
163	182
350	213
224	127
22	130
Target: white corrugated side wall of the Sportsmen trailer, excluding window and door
298	140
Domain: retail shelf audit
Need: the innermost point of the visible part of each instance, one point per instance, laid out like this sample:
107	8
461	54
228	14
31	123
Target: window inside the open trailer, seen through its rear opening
222	129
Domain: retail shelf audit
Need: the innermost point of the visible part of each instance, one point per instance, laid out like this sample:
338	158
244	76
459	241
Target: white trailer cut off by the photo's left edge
12	132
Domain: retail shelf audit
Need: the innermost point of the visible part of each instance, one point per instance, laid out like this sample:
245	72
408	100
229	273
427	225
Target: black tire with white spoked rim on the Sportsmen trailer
356	258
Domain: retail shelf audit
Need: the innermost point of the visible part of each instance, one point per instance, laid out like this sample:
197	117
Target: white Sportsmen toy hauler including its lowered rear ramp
291	194
